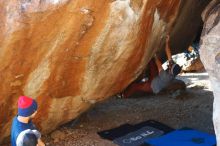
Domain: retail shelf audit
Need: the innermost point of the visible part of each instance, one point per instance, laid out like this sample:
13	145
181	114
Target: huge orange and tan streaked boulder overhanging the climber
70	54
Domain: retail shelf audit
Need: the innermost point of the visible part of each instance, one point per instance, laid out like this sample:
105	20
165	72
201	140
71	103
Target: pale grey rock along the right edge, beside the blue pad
210	55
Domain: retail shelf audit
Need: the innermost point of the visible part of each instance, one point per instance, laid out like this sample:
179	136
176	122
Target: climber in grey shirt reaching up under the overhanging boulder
158	79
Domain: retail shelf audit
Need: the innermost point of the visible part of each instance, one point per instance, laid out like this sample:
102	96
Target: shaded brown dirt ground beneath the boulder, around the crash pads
191	108
